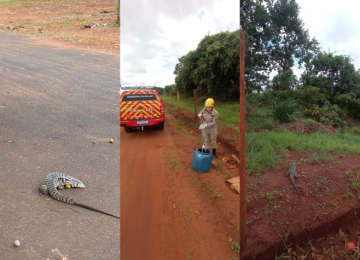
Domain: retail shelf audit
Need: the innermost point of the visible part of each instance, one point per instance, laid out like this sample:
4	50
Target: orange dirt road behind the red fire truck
166	208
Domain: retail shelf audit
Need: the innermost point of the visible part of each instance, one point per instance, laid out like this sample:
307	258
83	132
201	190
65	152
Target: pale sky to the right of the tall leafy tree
336	26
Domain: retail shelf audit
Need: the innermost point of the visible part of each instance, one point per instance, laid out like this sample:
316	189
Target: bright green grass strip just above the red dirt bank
265	150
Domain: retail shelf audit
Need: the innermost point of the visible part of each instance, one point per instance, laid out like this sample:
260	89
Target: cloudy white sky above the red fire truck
154	34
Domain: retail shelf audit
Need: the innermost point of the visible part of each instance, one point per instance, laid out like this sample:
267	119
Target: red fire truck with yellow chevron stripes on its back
141	107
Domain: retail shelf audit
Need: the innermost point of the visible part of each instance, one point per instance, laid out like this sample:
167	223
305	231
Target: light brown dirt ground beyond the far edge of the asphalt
61	23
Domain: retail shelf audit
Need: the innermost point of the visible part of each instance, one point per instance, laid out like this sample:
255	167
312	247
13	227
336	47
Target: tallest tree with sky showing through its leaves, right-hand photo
275	35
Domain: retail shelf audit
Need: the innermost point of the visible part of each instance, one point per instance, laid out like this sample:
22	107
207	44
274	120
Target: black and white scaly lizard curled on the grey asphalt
57	180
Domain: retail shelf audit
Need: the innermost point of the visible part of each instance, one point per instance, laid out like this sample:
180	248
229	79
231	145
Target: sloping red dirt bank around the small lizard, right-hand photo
322	187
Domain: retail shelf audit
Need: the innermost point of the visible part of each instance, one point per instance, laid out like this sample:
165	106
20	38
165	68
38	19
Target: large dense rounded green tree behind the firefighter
213	67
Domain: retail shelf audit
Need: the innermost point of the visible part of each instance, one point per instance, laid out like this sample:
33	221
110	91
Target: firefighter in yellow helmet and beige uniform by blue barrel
209	119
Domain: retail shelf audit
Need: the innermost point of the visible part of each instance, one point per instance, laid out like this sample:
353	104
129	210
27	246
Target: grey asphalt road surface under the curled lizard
53	104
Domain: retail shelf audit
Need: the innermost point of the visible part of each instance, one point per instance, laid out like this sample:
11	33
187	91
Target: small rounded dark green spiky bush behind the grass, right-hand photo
284	111
